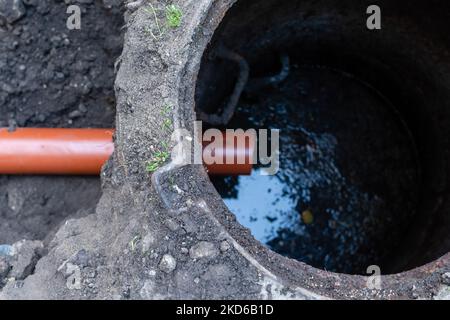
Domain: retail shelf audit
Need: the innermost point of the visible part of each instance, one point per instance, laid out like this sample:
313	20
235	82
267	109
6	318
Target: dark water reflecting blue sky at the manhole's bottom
348	172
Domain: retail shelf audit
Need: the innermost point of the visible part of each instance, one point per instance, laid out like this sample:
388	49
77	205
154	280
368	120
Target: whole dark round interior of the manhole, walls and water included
364	119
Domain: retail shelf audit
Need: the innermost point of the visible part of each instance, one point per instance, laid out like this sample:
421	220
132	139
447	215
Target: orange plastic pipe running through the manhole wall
80	152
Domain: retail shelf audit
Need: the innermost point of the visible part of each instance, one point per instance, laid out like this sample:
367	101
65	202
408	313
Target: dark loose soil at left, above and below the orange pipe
54	77
